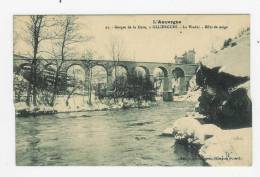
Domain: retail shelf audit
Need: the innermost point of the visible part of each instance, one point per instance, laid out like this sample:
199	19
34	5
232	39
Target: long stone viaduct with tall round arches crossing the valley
170	70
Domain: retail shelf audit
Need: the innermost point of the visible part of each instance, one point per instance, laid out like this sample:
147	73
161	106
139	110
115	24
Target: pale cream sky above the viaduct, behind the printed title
150	44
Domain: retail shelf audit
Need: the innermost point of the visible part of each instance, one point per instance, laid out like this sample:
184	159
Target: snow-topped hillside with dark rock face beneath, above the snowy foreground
224	82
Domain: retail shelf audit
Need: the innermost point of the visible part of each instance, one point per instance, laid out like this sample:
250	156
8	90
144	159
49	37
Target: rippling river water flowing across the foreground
122	137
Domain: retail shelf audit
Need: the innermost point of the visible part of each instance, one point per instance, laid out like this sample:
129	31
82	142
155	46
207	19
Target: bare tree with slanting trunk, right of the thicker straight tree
67	35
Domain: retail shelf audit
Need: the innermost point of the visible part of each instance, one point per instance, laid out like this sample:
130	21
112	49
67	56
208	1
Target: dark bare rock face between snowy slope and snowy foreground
224	98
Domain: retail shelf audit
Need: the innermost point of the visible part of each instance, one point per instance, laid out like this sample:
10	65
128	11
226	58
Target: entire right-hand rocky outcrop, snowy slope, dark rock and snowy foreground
224	101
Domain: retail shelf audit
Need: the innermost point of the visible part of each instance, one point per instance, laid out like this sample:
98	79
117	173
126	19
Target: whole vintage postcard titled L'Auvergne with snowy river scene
132	90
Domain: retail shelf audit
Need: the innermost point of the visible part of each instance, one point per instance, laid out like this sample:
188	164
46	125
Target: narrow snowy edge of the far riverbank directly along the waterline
24	110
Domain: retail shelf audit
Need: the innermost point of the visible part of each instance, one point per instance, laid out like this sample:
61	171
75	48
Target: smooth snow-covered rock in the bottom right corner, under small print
231	148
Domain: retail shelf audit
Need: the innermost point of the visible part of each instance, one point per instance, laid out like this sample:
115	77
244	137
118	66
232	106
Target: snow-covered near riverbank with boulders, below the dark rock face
216	146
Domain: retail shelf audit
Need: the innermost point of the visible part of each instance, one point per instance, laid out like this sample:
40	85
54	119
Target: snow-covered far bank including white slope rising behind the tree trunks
79	103
